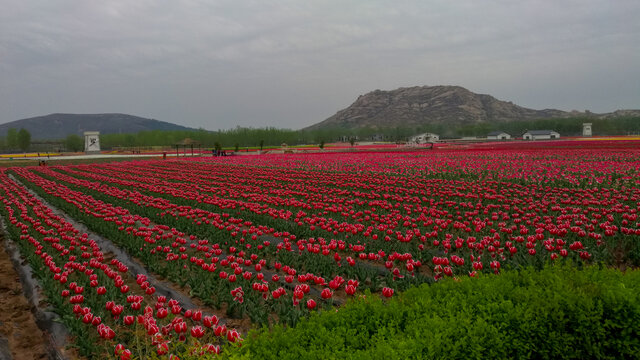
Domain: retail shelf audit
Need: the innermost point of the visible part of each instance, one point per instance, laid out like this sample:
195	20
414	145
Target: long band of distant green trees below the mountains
265	137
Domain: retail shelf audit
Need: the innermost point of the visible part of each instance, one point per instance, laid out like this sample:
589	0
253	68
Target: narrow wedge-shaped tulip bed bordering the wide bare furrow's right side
212	275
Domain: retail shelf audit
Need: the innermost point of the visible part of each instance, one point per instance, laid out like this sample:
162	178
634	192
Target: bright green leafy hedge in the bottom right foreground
560	312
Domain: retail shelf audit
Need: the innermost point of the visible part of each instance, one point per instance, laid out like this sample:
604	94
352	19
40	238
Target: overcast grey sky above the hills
288	64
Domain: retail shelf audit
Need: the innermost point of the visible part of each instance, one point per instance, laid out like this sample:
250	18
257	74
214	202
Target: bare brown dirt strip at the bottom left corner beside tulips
20	337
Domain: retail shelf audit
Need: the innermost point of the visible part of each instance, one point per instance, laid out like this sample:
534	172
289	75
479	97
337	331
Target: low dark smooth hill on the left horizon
59	126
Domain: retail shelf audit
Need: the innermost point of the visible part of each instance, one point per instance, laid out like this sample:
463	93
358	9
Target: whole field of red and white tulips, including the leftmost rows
269	239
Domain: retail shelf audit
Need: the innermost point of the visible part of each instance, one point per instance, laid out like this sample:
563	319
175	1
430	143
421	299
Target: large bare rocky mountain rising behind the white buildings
433	105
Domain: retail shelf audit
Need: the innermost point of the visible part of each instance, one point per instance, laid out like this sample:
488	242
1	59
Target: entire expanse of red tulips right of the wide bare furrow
275	237
